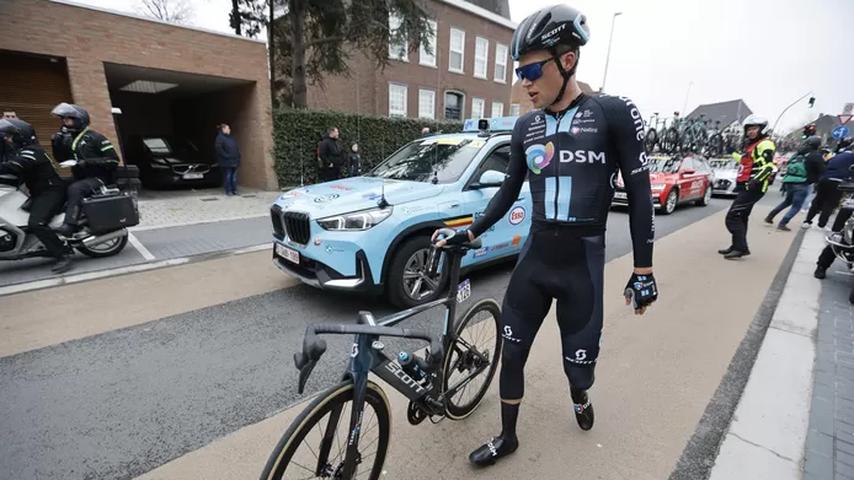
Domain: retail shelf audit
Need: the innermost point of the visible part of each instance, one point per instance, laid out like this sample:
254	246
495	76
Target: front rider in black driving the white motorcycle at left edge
31	164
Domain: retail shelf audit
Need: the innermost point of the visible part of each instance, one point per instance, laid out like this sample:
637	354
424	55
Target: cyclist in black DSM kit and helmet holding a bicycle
570	149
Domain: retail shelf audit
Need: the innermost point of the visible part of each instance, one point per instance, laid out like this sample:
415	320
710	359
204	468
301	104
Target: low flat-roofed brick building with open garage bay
165	79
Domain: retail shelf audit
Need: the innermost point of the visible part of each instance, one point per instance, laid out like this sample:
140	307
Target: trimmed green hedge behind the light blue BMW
297	132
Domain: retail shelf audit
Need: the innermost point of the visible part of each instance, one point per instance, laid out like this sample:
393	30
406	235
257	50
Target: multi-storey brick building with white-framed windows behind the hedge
468	74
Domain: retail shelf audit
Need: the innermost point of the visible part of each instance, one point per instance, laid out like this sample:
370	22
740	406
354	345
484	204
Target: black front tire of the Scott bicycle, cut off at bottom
316	411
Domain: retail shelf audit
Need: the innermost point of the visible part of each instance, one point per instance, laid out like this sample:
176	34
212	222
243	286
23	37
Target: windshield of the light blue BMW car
442	158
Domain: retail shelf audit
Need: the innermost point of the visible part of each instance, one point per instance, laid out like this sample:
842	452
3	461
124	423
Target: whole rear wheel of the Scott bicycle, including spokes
472	359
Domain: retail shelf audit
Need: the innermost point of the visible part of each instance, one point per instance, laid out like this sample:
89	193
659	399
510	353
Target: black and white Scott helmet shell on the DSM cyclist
548	28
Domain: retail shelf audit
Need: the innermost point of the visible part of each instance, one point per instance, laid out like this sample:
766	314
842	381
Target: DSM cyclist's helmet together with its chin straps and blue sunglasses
557	29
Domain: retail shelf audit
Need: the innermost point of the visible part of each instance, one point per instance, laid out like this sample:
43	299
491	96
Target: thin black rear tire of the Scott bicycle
453	410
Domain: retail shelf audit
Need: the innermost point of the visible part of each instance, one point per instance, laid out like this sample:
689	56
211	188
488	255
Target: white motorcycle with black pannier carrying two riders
106	215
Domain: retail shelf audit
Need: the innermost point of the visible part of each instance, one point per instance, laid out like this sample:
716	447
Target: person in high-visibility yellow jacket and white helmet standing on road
757	166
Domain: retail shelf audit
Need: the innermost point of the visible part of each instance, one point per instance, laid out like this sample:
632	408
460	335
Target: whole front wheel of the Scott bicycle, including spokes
315	444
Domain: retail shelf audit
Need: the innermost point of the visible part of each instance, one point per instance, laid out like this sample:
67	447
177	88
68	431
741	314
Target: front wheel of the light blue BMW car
408	283
